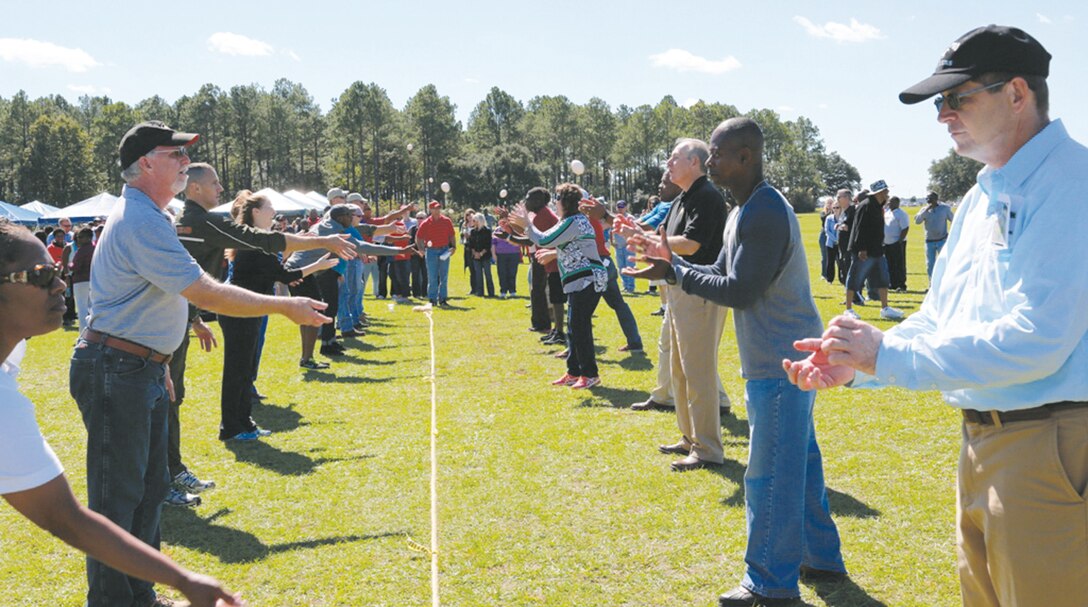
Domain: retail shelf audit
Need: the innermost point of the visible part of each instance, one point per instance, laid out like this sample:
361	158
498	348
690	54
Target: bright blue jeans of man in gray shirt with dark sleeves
789	523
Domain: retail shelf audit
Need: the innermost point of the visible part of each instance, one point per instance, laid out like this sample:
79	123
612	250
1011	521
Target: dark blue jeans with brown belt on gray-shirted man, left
125	406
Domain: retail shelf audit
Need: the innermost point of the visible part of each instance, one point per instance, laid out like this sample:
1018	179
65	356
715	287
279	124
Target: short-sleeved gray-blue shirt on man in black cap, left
138	275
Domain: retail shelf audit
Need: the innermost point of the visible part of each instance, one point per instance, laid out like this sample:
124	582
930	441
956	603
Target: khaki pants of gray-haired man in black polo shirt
696	327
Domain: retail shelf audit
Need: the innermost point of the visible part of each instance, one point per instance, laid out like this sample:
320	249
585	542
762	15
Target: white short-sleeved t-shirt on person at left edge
27	461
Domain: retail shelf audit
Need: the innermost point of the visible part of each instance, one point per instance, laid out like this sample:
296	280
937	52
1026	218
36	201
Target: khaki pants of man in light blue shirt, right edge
1022	517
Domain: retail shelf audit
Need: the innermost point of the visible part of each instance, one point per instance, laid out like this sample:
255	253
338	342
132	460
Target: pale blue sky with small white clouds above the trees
839	64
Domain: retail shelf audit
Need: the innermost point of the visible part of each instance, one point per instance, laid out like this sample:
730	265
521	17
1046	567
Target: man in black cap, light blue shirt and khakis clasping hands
1003	332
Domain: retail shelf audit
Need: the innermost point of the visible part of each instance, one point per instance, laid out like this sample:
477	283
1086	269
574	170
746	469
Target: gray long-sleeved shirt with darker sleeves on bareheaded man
763	276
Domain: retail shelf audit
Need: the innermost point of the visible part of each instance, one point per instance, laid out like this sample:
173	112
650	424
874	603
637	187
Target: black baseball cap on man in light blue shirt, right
993	48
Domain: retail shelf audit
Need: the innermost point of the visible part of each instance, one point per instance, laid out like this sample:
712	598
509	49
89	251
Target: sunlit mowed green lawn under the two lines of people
548	497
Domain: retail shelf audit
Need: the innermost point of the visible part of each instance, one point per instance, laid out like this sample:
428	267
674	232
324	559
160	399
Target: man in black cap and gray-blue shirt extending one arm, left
119	375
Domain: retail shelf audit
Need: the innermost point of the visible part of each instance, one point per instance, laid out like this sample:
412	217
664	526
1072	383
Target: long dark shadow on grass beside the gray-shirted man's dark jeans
184	527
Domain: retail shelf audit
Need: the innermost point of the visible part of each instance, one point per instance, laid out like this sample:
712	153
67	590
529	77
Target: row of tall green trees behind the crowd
60	153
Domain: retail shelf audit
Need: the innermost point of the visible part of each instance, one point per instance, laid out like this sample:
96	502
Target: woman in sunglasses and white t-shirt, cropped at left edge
32	480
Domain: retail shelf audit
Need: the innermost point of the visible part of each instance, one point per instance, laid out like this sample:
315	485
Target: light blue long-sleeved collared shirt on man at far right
1006	324
